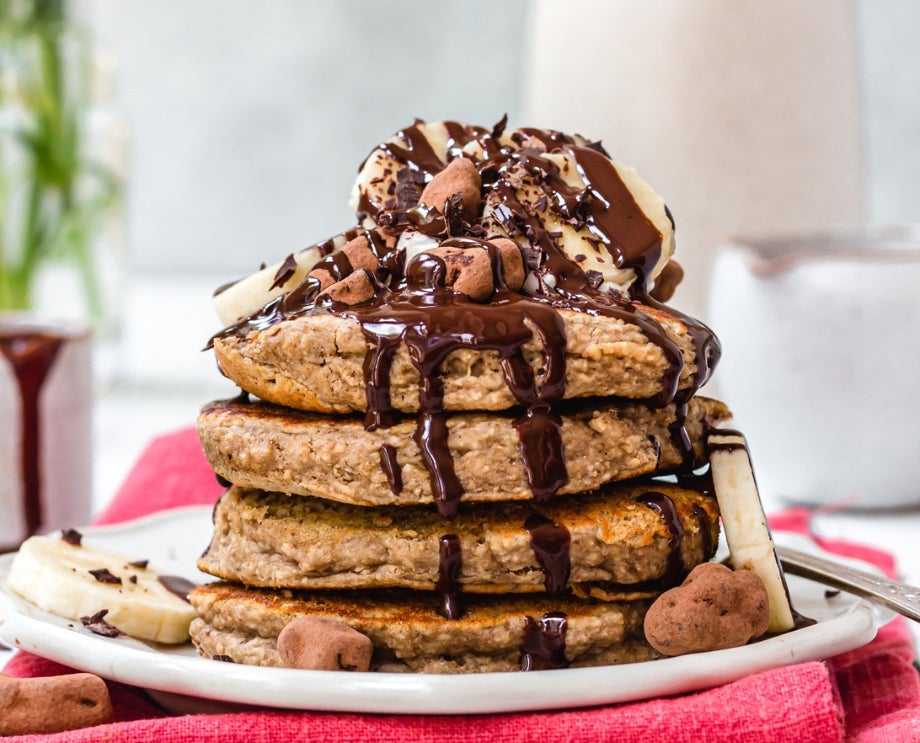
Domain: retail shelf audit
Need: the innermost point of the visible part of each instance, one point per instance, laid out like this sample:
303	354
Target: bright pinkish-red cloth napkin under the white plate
870	695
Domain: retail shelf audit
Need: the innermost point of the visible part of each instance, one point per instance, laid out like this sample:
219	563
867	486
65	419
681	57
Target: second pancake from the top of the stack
256	445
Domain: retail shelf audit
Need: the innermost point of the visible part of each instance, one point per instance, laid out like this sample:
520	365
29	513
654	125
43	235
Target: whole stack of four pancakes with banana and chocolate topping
463	475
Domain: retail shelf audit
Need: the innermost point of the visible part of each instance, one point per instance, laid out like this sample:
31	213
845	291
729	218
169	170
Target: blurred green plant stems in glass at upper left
53	198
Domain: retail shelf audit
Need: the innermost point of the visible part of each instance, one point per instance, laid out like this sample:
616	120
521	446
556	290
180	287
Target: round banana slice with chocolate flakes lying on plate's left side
55	575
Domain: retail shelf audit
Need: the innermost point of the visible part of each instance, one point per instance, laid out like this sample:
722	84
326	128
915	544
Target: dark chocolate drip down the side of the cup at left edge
31	356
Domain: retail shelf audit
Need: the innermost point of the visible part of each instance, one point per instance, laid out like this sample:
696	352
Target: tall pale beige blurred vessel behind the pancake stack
742	114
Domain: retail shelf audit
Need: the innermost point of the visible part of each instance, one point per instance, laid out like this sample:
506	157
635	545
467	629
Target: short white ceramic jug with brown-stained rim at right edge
821	362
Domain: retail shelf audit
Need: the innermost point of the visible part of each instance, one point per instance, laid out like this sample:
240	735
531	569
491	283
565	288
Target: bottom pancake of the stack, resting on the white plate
409	635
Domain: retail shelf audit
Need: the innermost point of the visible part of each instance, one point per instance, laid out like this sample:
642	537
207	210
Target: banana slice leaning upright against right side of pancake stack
746	531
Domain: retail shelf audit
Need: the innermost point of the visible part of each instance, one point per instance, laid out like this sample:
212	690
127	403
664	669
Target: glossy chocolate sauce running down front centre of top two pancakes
434	324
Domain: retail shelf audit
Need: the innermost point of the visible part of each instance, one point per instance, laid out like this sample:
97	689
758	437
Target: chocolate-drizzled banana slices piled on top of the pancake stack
520	160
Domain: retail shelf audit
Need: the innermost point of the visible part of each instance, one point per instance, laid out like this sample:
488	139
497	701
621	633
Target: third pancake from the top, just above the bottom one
614	536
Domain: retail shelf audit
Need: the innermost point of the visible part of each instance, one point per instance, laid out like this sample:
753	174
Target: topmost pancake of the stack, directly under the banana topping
316	362
